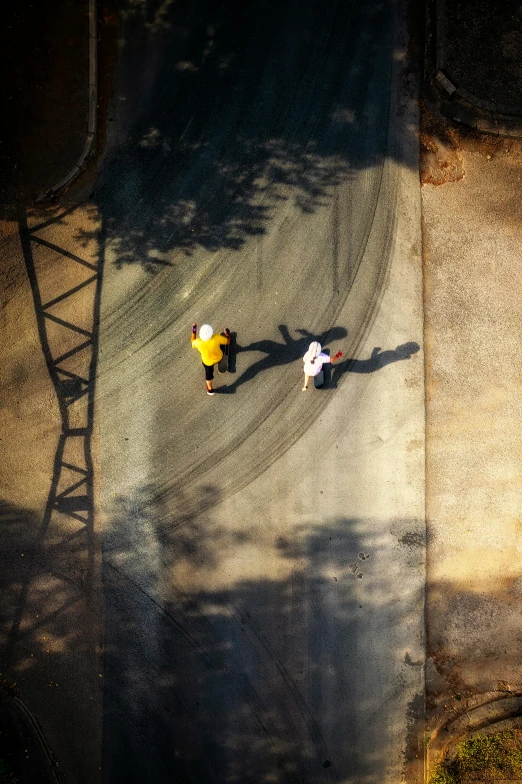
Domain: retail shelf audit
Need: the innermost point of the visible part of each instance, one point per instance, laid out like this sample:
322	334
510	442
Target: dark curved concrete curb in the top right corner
464	106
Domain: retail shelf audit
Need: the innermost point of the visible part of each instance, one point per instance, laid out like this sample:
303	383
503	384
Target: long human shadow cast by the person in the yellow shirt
276	353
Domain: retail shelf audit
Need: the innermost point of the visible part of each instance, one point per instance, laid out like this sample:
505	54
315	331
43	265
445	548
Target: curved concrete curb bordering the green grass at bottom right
491	713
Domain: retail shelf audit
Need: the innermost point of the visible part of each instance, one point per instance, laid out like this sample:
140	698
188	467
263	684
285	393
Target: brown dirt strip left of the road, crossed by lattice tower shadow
49	613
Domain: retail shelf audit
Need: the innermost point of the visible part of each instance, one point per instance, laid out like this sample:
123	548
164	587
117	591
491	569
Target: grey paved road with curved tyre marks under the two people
263	549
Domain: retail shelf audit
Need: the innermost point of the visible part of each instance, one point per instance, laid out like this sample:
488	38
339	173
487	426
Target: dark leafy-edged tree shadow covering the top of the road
224	111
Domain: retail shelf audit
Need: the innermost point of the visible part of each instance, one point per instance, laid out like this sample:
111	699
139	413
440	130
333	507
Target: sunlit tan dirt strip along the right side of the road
472	250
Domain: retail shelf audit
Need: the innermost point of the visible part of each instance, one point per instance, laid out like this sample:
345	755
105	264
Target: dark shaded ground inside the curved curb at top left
45	46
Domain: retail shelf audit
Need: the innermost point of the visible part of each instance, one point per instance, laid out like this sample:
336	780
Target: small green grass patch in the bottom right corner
486	758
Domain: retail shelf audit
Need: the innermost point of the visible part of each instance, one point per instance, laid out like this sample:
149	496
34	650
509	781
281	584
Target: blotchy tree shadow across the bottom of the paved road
228	675
